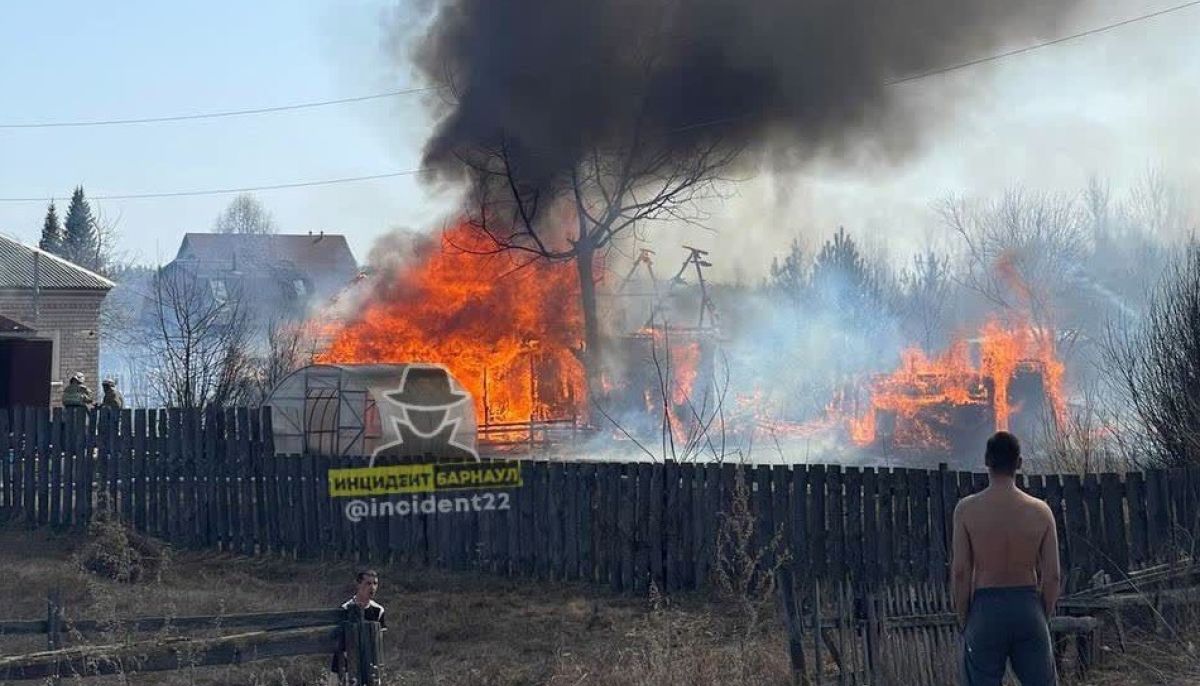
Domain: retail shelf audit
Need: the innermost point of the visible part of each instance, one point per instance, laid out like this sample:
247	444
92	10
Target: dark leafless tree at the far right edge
1156	365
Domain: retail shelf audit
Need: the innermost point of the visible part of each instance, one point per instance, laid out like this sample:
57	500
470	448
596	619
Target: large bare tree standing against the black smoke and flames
639	173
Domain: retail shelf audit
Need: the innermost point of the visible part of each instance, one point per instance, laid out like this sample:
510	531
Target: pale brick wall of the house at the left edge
74	317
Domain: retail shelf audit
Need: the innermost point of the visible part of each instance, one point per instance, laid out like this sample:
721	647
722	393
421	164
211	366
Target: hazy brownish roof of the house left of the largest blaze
311	254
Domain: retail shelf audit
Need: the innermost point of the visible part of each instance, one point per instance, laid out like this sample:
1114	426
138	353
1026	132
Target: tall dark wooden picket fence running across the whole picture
212	480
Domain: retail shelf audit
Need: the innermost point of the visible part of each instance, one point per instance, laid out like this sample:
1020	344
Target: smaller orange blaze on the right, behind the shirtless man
927	399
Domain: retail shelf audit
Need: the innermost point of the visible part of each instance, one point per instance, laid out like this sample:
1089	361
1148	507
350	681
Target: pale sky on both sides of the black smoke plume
1113	106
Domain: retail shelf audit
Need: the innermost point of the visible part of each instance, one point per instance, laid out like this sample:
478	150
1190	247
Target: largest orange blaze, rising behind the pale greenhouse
506	327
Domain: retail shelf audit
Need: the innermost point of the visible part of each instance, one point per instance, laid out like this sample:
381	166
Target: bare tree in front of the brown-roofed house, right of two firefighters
199	341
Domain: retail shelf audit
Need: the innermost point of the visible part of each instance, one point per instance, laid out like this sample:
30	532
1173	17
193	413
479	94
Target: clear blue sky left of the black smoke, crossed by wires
95	61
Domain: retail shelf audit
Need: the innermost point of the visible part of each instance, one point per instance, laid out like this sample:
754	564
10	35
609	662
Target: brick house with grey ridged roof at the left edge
50	324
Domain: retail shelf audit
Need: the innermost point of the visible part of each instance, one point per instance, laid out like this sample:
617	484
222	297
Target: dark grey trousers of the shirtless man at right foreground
1007	624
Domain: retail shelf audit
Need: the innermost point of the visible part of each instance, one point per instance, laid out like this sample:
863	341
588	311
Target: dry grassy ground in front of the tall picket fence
451	629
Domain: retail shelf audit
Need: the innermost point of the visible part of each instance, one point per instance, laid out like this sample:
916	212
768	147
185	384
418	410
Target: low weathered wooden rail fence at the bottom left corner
278	635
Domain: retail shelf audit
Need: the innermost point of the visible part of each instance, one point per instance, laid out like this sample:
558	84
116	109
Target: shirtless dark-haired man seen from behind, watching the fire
1005	577
